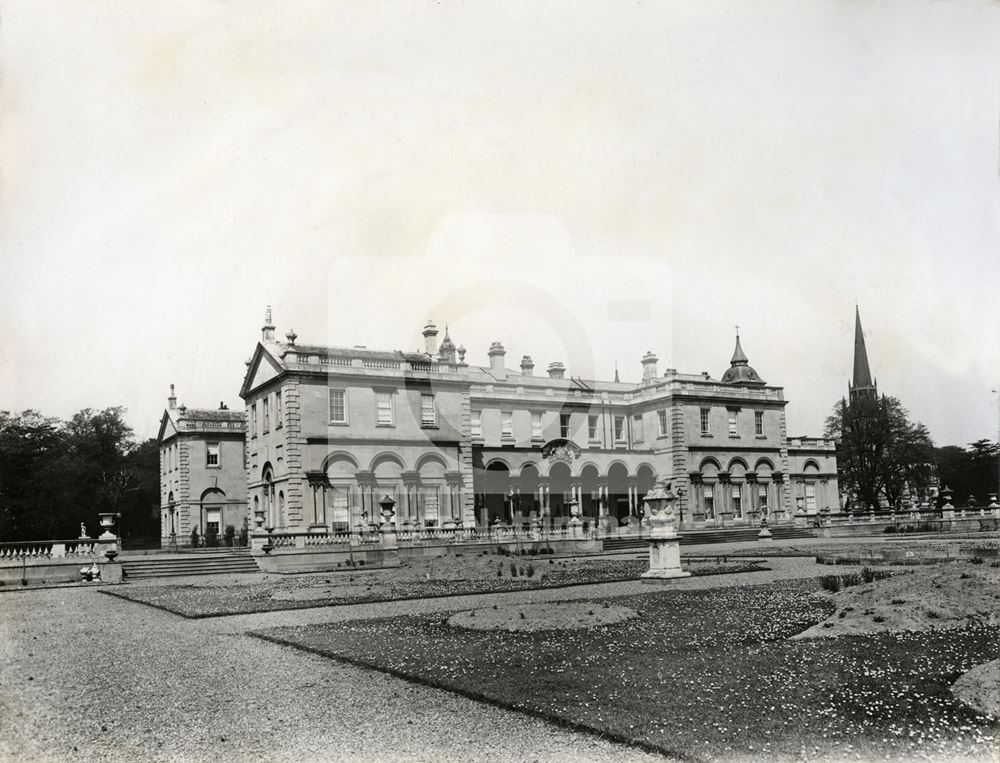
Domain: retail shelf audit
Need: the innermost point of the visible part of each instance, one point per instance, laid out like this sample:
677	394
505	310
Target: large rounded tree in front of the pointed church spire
880	452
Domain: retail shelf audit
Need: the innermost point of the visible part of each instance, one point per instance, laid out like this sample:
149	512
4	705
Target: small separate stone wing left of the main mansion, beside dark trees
202	471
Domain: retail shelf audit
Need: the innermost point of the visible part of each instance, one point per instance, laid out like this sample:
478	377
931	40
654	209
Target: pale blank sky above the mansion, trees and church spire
582	181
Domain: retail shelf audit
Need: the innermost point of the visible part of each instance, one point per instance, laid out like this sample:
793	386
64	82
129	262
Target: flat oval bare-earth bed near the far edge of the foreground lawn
542	617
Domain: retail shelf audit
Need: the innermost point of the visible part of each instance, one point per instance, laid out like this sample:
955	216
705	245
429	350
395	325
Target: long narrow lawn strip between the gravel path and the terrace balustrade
427	579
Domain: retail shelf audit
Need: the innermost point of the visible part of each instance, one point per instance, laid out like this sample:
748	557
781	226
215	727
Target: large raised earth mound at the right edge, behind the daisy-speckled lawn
949	595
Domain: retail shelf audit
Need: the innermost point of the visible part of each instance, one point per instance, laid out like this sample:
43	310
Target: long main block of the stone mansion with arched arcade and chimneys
332	430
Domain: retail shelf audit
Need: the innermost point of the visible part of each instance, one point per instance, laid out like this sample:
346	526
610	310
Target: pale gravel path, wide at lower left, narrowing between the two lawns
93	677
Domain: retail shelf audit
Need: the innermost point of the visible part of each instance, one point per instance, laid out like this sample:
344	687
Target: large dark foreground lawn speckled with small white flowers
702	674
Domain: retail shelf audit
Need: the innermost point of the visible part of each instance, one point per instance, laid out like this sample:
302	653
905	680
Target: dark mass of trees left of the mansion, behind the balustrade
55	474
